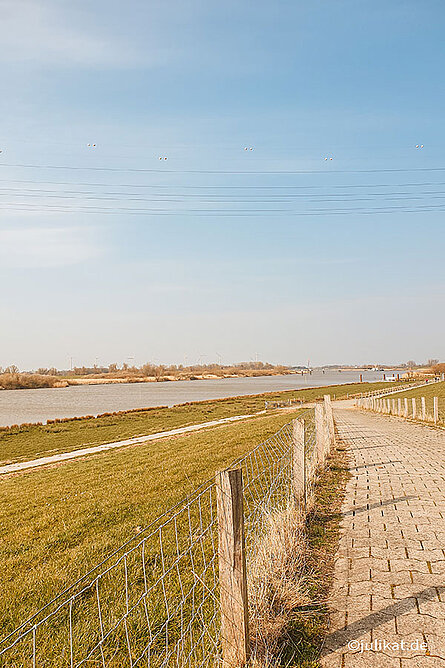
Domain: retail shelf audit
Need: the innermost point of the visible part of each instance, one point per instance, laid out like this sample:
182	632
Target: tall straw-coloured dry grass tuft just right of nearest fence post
276	586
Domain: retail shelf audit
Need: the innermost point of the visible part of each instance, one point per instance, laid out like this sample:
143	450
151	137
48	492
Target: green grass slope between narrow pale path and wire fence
56	523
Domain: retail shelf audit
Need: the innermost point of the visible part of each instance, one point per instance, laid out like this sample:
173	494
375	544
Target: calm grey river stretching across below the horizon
18	406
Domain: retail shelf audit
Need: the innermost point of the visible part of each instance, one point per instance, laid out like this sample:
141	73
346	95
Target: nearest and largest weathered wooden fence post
232	569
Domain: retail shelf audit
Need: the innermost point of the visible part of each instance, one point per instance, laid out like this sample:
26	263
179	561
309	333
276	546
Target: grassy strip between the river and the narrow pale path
37	441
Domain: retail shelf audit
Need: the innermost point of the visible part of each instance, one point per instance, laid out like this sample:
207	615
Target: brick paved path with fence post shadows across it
389	580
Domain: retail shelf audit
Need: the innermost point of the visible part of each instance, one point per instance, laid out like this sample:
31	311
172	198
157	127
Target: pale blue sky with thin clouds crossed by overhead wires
111	253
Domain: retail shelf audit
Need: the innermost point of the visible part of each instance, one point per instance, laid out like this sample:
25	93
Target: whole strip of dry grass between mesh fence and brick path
291	575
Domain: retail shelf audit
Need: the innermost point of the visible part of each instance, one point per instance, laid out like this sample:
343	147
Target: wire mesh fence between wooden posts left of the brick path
156	601
